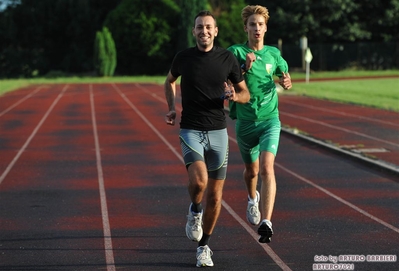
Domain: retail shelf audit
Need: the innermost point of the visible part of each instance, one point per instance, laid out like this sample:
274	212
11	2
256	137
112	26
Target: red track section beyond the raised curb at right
363	131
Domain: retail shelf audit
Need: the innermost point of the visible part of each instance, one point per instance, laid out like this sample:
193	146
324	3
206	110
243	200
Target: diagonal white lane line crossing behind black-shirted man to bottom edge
265	247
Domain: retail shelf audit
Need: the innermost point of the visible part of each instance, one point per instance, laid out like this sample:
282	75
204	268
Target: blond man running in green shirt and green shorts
258	125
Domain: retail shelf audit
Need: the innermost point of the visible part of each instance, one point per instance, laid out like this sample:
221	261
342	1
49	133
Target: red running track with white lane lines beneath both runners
91	178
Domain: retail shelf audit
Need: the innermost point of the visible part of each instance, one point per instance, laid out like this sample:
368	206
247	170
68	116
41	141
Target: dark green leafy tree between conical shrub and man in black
144	35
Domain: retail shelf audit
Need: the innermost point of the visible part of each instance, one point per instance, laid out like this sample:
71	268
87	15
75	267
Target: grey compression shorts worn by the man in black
212	147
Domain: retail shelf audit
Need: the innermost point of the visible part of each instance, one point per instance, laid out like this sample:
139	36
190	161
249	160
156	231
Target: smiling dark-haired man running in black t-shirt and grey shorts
205	70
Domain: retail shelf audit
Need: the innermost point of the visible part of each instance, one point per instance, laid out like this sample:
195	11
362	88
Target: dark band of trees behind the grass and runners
51	38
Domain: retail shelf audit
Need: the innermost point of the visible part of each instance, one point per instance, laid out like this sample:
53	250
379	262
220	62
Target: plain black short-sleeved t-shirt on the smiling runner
202	84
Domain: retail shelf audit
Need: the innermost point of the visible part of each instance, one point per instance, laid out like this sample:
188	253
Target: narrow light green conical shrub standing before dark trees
104	53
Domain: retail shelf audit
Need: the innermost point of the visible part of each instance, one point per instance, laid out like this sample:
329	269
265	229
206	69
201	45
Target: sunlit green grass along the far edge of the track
381	93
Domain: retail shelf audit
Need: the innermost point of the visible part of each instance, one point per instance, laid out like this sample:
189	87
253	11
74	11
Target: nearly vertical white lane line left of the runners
109	255
